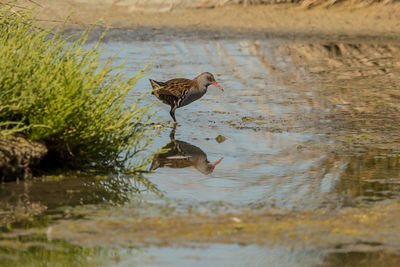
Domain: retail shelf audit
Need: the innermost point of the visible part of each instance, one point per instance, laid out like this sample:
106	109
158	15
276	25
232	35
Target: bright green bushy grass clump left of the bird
59	93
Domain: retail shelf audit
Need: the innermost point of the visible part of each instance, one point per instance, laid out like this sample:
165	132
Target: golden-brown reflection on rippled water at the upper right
357	82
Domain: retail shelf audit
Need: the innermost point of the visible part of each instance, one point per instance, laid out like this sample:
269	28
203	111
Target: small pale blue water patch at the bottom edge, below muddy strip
229	255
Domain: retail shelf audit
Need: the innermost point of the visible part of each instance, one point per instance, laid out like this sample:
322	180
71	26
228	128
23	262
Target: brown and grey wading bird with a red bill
181	92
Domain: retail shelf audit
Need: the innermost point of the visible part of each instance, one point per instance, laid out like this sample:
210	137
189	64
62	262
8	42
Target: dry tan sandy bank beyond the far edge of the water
284	20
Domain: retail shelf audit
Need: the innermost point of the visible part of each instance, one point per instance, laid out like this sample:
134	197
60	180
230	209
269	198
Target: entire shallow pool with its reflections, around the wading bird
303	132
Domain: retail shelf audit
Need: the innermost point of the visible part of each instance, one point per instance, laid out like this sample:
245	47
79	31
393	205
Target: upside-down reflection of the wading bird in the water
181	155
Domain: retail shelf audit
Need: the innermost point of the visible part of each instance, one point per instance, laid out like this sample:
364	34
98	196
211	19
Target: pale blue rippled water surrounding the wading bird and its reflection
255	159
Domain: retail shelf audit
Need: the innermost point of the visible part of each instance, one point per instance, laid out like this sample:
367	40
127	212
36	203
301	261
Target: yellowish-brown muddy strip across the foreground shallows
349	229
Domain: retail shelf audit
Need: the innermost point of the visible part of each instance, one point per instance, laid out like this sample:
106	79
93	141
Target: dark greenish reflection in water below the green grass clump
40	203
